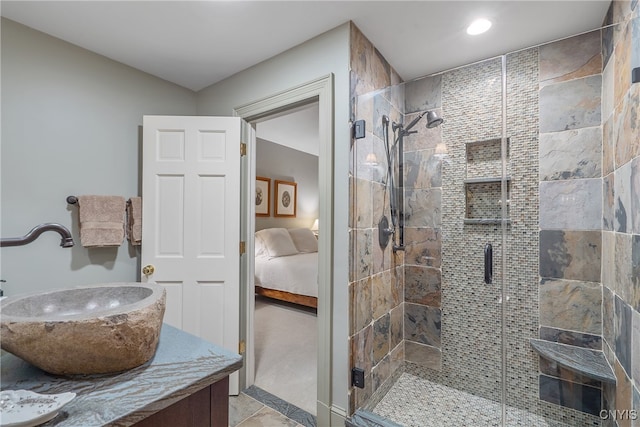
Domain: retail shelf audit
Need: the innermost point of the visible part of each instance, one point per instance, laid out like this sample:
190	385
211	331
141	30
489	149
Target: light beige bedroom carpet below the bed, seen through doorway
286	352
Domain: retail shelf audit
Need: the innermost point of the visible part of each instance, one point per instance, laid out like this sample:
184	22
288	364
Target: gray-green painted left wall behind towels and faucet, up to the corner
70	126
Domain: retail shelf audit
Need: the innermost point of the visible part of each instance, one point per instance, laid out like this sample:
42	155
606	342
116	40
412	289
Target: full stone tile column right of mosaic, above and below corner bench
570	295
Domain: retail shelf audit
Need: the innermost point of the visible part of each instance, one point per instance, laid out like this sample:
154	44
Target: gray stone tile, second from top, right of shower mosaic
571	105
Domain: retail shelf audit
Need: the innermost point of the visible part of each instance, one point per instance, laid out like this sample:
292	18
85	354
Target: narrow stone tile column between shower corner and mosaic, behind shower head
422	169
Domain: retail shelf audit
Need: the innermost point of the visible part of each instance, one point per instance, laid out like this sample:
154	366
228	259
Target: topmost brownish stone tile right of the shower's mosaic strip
571	58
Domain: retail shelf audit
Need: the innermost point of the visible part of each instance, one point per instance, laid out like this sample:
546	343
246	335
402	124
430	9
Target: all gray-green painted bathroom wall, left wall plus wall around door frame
70	126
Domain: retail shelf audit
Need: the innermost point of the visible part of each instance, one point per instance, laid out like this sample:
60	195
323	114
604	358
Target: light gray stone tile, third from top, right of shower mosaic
571	154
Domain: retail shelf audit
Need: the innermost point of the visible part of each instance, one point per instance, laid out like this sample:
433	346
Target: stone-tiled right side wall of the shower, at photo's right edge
621	207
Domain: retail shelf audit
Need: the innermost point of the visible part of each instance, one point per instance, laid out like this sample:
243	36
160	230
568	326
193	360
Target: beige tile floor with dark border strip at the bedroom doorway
257	408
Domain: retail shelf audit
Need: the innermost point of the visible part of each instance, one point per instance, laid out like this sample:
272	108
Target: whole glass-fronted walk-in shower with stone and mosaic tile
512	300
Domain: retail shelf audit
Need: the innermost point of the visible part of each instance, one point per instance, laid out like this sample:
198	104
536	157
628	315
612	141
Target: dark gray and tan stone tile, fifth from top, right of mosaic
573	255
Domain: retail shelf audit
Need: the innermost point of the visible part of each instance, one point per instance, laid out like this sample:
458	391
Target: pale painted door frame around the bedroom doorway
321	90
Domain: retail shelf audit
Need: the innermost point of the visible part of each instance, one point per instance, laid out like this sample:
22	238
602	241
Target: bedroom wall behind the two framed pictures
276	161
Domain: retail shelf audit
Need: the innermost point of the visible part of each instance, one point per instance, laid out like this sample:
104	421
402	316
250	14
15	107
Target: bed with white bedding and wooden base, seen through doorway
286	265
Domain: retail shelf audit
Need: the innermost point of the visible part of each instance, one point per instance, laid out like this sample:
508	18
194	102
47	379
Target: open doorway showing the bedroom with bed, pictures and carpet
285	317
